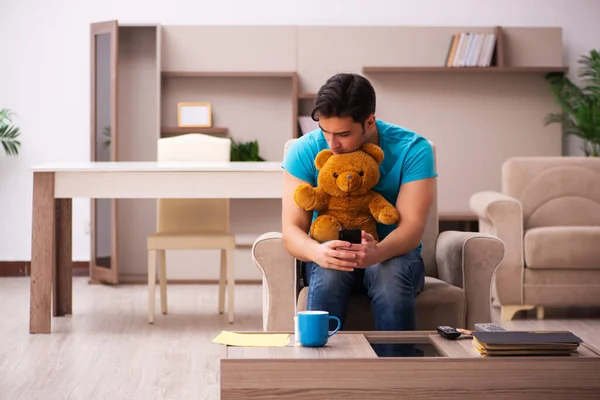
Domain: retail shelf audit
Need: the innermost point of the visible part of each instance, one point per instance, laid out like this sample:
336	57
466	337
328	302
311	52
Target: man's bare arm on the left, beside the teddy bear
295	221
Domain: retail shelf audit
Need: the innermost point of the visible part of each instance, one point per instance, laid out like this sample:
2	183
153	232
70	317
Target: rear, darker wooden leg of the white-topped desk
63	279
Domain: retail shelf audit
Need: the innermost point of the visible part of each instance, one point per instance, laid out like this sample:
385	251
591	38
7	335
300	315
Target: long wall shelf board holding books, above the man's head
463	70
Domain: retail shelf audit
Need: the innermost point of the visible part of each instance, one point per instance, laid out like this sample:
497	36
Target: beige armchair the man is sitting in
459	268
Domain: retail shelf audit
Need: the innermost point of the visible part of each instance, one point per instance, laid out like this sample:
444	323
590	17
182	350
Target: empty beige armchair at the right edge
548	216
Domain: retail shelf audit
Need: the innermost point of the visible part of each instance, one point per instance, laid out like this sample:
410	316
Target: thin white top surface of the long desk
159	166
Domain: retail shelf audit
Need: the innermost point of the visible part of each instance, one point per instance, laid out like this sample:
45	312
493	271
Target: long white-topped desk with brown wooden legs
55	184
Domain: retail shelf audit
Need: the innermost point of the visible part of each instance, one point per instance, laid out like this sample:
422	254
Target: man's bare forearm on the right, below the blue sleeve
413	203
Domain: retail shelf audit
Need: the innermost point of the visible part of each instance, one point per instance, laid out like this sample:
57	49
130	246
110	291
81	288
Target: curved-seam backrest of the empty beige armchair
554	191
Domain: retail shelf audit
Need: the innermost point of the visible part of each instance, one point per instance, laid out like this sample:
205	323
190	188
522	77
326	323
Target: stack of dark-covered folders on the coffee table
525	343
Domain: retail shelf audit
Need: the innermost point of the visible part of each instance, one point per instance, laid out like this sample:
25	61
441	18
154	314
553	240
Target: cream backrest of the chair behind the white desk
193	215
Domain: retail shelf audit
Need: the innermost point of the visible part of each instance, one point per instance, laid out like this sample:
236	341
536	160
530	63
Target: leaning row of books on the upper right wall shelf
471	49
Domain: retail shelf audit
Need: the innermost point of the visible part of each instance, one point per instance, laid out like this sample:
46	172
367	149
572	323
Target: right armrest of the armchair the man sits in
469	260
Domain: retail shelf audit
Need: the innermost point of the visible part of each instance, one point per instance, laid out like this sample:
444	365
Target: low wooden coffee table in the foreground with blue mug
348	367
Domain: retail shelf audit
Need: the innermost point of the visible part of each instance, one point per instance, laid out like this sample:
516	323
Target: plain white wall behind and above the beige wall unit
45	68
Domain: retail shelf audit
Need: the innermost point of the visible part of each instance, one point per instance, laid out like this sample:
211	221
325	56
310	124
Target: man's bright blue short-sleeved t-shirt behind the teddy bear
407	157
